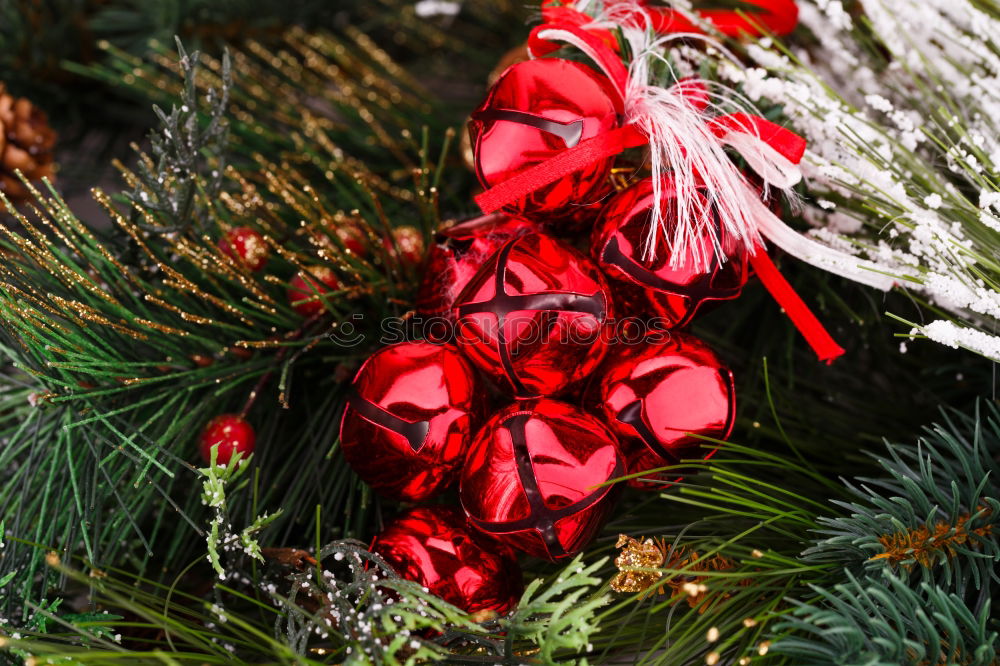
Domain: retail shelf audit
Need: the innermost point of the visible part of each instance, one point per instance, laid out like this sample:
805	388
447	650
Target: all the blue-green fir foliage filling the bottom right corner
921	557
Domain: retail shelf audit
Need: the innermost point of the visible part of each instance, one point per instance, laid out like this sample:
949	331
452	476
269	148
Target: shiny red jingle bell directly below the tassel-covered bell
654	393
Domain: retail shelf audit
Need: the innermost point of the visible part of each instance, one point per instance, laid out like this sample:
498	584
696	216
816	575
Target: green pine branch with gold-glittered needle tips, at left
135	338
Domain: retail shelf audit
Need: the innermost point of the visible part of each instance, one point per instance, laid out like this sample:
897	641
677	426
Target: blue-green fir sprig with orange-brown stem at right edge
933	514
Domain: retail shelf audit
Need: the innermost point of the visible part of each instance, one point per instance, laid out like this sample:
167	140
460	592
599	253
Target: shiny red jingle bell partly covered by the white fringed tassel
674	294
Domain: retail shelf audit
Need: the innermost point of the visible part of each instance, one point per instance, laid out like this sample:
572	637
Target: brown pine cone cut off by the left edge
26	142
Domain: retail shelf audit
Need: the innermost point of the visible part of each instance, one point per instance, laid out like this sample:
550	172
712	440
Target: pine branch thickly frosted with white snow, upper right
903	149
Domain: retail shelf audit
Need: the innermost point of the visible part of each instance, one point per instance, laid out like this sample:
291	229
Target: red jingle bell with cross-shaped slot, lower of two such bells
530	477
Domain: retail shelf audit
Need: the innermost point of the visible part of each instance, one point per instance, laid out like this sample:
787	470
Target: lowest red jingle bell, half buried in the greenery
434	547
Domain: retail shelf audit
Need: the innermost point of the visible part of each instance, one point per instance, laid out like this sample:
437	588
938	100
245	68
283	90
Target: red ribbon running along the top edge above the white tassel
777	17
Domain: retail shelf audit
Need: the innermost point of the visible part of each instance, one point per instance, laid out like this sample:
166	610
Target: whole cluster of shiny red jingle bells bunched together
535	401
